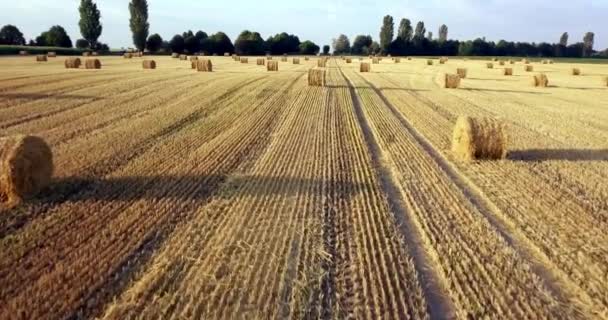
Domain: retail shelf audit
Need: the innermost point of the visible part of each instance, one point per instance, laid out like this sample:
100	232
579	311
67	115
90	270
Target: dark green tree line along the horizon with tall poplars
408	40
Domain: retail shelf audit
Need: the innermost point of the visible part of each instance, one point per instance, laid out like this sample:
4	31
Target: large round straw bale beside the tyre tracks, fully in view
479	138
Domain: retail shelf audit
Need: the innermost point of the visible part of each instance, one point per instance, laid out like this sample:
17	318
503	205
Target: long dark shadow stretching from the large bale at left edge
195	187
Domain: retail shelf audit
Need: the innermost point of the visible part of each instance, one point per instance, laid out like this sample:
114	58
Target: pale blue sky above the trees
320	21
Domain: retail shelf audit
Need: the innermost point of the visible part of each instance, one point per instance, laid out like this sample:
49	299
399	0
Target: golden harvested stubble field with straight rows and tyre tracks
243	193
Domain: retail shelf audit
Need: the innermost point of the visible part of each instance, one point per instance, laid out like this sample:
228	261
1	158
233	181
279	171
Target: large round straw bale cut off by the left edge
26	167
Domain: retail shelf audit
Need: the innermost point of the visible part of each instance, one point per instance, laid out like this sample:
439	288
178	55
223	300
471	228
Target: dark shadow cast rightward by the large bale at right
559	154
